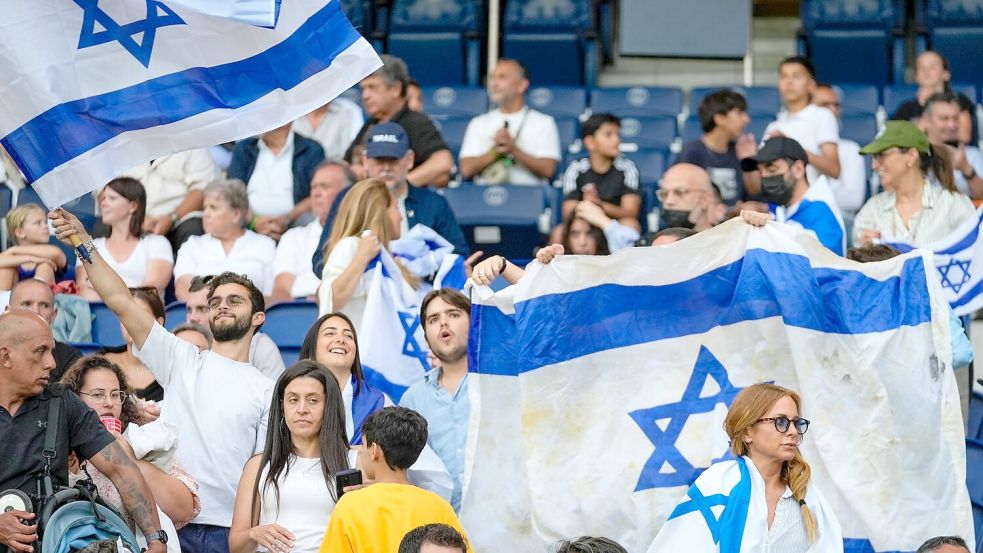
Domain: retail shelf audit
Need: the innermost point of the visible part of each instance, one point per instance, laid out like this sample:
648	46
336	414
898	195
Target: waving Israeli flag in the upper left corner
95	87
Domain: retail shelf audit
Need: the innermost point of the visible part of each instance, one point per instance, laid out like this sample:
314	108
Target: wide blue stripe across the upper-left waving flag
68	130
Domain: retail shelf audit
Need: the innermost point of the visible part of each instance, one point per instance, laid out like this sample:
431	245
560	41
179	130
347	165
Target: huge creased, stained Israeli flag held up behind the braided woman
605	381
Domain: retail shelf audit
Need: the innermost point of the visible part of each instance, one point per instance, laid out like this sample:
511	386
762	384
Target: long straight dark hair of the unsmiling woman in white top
279	444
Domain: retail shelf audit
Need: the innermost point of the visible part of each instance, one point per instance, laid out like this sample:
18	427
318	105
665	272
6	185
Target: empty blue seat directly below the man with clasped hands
500	220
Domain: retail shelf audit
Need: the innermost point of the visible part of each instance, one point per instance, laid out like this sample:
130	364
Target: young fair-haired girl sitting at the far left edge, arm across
31	256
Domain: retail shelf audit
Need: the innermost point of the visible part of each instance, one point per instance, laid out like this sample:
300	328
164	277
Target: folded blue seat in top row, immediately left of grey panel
556	40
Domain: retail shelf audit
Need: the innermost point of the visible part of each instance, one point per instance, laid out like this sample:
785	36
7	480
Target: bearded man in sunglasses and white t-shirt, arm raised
216	399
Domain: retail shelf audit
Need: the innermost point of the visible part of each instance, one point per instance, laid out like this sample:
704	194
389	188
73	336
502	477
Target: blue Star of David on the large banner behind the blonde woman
666	452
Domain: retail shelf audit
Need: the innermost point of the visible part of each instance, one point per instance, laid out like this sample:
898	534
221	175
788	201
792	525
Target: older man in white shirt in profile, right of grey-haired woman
293	276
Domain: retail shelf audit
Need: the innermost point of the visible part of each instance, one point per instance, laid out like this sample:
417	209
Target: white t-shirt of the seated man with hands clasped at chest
536	136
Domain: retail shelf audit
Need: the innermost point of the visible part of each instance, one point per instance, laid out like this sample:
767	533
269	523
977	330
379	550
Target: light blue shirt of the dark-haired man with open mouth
447	423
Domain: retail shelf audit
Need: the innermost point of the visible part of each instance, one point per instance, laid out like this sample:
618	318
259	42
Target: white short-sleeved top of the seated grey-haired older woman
251	255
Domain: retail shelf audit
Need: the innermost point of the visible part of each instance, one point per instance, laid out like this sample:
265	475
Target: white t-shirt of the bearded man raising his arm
220	408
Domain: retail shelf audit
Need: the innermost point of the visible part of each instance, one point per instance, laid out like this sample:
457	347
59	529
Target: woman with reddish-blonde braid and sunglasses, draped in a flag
769	503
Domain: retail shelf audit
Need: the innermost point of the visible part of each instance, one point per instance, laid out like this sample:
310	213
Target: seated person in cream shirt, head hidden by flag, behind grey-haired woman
174	186
